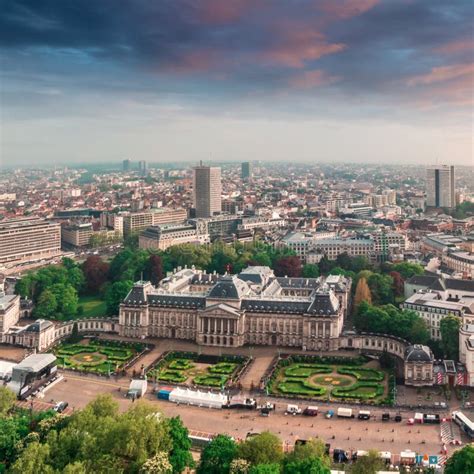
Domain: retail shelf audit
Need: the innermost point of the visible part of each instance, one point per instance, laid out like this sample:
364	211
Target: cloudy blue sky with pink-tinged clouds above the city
216	80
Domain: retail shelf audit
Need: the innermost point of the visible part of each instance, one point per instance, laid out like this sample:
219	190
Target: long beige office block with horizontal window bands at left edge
27	239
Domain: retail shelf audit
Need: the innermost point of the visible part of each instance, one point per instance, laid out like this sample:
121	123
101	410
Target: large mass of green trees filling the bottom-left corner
95	439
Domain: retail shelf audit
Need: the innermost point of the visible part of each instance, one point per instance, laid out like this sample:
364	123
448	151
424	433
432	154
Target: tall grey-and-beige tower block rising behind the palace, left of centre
207	190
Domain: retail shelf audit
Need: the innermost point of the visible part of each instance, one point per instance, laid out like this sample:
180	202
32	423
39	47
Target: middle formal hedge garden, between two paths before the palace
190	368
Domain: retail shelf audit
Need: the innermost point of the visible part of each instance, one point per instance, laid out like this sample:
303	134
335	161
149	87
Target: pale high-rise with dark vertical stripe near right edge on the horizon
440	189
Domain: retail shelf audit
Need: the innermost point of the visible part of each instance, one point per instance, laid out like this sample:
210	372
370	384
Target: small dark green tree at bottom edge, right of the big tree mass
218	455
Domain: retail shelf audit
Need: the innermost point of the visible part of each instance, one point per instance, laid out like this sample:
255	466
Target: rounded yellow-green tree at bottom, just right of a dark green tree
265	448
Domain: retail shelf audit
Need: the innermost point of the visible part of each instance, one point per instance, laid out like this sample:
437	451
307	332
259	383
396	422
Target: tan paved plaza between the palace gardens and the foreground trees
349	434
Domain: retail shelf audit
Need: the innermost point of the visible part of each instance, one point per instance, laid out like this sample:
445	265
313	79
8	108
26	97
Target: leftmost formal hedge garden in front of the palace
97	356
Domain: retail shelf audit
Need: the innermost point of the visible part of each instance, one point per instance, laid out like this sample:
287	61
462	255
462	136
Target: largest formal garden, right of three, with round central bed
332	379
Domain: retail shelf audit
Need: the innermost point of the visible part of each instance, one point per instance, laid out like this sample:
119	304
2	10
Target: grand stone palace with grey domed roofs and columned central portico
252	307
